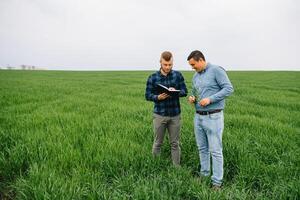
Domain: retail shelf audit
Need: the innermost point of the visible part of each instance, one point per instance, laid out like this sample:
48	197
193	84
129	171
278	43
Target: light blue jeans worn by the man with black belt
208	132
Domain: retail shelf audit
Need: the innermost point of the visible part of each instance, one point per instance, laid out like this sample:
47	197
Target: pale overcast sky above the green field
131	34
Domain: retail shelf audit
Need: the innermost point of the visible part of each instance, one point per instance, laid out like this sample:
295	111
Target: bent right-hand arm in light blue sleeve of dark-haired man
225	84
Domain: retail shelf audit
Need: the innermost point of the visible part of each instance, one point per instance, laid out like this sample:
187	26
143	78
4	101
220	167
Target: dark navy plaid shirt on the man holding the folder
171	105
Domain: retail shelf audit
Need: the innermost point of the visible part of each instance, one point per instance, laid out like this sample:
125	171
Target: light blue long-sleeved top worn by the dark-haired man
212	83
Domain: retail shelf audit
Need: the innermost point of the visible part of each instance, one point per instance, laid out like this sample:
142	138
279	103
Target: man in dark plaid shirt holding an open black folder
166	106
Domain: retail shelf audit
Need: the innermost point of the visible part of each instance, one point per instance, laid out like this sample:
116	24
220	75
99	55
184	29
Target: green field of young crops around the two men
88	135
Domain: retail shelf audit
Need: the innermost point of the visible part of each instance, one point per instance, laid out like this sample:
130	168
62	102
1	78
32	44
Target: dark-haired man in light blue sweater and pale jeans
210	87
